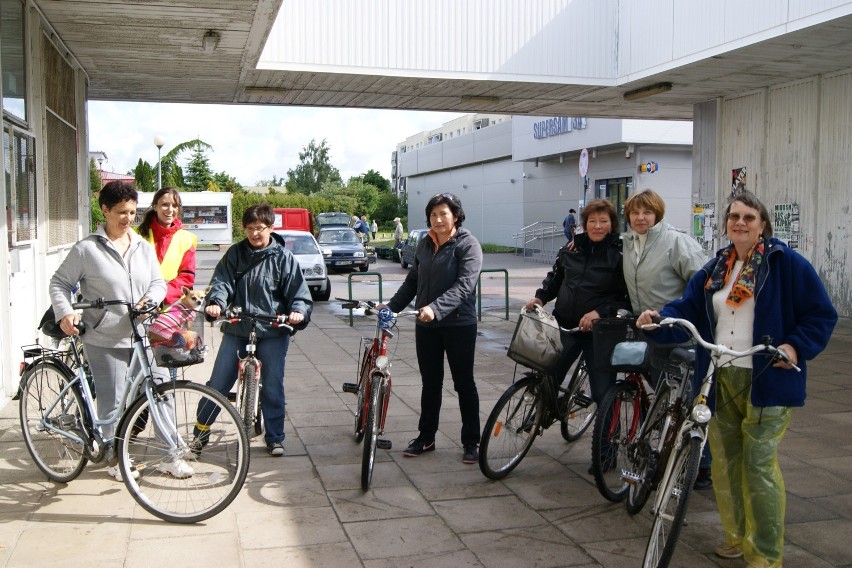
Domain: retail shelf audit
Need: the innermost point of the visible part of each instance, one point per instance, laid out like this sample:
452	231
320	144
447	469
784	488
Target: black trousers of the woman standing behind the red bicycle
459	345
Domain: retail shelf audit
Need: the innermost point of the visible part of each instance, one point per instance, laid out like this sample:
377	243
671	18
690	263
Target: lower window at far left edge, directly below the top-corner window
19	162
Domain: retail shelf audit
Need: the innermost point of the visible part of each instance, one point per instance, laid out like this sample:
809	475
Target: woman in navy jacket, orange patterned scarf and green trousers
754	287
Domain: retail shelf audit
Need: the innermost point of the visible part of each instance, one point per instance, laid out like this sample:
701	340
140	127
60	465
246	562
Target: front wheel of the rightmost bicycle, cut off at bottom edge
673	501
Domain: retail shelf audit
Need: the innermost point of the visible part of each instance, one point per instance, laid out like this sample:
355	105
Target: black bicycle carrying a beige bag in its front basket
527	408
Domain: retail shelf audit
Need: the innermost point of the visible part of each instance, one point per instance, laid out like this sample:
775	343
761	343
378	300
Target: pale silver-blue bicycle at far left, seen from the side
63	431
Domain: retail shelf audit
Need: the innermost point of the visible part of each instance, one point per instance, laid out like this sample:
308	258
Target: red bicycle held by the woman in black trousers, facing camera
374	384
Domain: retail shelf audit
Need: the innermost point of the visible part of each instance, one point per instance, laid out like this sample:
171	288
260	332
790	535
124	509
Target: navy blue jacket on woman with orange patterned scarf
790	306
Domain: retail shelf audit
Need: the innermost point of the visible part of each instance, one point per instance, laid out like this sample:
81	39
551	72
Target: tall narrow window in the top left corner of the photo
13	60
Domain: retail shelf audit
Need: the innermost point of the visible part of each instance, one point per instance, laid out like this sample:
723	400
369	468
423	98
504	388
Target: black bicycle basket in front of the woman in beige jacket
619	346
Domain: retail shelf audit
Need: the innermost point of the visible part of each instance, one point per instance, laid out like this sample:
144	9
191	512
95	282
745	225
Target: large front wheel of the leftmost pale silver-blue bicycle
207	469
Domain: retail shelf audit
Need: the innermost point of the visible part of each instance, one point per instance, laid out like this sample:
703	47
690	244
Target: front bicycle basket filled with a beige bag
536	342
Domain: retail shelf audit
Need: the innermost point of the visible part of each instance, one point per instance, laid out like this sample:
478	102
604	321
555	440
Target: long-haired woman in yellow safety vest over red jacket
174	245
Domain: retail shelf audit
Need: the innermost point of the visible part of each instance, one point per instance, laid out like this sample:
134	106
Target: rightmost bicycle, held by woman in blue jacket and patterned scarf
686	447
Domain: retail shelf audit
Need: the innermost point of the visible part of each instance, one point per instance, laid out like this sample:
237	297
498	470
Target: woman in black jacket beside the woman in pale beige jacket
588	283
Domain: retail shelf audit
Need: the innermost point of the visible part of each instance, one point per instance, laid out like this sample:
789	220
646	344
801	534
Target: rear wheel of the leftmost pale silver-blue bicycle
42	411
